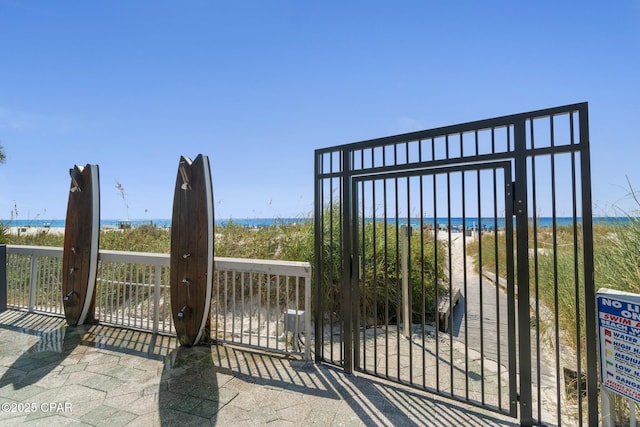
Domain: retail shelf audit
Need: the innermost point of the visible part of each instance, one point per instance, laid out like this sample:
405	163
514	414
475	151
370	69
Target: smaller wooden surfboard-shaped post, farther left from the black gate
81	241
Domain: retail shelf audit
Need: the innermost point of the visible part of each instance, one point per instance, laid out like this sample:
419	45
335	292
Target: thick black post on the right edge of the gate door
522	260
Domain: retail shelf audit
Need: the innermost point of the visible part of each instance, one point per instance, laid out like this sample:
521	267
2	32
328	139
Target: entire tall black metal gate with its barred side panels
448	260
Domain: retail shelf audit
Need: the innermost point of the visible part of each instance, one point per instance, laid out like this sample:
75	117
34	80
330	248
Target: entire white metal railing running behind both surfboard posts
257	303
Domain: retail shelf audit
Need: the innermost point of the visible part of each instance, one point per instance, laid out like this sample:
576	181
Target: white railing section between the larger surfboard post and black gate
264	304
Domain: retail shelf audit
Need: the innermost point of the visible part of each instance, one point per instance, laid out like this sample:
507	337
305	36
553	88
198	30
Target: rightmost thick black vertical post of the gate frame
589	291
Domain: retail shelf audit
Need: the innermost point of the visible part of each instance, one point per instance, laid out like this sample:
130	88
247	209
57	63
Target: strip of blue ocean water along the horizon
454	222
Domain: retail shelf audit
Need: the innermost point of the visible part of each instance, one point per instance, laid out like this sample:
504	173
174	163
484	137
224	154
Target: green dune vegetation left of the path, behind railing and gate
381	268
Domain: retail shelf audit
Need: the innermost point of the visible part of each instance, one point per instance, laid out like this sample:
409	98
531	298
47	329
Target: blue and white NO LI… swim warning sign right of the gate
619	335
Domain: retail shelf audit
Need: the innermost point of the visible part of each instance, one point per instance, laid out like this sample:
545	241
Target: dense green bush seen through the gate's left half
380	271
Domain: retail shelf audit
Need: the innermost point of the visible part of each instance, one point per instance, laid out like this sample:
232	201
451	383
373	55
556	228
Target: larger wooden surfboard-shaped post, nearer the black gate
191	249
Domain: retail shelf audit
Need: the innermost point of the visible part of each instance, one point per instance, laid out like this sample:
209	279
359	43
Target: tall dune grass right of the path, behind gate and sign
556	267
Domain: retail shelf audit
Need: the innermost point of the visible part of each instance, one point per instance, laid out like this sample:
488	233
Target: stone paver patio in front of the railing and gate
51	374
